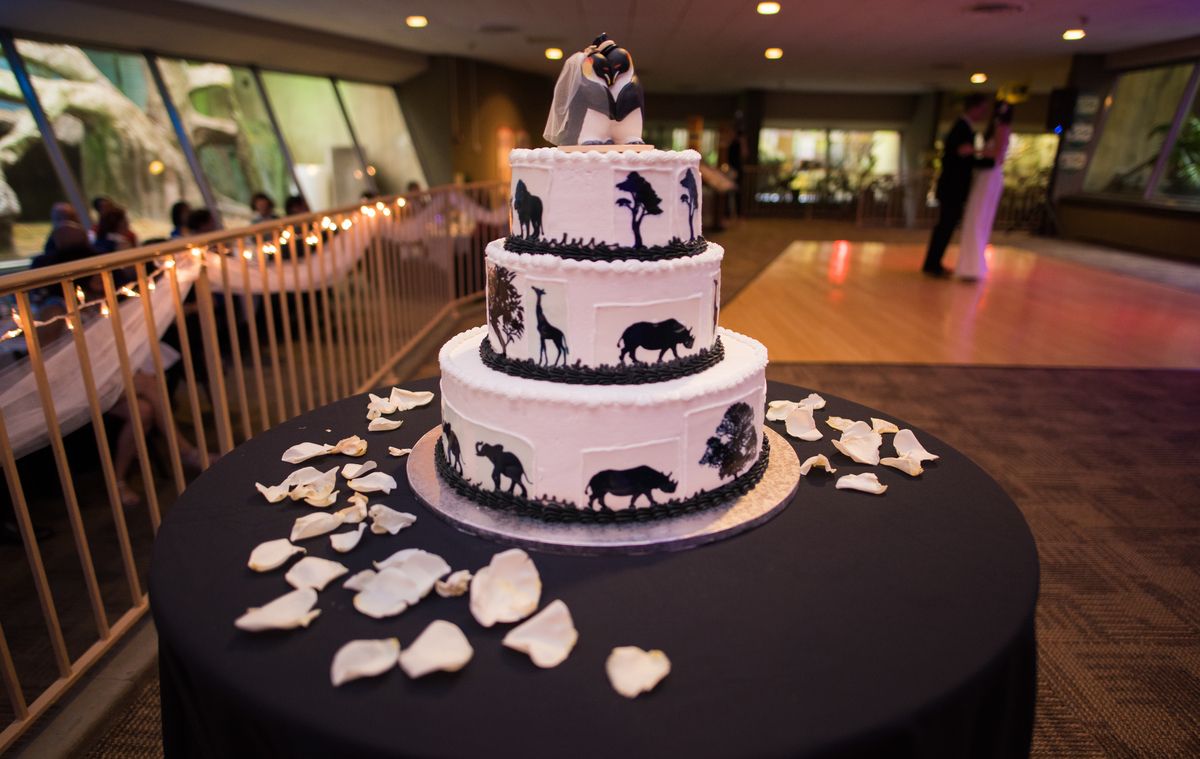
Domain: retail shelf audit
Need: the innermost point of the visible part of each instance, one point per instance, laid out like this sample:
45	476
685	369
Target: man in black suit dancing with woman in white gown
959	160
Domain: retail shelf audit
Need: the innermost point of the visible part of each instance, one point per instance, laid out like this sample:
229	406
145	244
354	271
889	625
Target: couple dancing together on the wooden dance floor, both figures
969	188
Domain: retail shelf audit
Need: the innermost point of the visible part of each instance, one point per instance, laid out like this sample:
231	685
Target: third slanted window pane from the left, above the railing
311	121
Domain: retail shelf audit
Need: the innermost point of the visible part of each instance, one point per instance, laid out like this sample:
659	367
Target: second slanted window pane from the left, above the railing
231	133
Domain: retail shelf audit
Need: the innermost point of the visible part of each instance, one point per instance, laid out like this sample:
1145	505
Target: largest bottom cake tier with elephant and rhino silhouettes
556	450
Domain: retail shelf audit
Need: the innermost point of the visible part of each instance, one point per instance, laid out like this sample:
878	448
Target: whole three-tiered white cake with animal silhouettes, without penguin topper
601	389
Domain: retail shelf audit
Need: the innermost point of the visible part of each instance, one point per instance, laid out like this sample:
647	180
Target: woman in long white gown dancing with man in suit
987	187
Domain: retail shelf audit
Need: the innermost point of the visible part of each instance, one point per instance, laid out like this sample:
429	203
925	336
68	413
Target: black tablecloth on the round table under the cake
850	625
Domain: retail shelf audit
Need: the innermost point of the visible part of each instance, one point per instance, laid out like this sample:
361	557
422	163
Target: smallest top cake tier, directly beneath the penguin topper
614	204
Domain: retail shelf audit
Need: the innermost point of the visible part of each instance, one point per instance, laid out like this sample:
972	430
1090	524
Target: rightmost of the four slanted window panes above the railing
383	135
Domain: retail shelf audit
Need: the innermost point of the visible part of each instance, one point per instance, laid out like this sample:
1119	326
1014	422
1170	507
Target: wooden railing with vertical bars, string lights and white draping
101	426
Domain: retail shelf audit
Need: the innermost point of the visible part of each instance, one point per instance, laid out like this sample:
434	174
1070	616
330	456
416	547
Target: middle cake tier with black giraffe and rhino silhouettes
602	321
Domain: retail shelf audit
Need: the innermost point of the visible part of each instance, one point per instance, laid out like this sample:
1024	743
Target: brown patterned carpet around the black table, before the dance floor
1106	467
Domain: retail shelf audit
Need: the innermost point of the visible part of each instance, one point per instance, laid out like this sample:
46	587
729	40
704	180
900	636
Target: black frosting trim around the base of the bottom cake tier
555	511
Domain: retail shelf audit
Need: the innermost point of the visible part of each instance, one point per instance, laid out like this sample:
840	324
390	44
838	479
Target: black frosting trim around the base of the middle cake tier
604	374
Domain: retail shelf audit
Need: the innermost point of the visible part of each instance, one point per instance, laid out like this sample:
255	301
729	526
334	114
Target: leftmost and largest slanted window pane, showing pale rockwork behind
115	129
